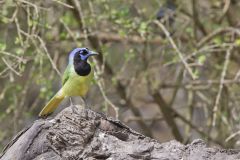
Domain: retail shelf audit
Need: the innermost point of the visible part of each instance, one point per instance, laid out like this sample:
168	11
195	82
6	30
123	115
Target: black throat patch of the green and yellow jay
81	67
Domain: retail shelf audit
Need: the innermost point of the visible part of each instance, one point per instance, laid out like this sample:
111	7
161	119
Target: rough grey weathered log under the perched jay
84	134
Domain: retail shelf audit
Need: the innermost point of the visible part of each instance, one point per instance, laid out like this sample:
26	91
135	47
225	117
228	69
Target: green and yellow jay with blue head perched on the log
75	80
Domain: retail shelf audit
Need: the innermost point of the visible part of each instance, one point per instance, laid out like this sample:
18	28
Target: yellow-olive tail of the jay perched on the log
52	104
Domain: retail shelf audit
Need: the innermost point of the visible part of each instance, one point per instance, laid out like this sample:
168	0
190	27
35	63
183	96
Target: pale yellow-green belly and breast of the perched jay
77	85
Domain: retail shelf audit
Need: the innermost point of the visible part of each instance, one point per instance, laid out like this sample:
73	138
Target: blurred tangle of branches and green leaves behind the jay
170	69
